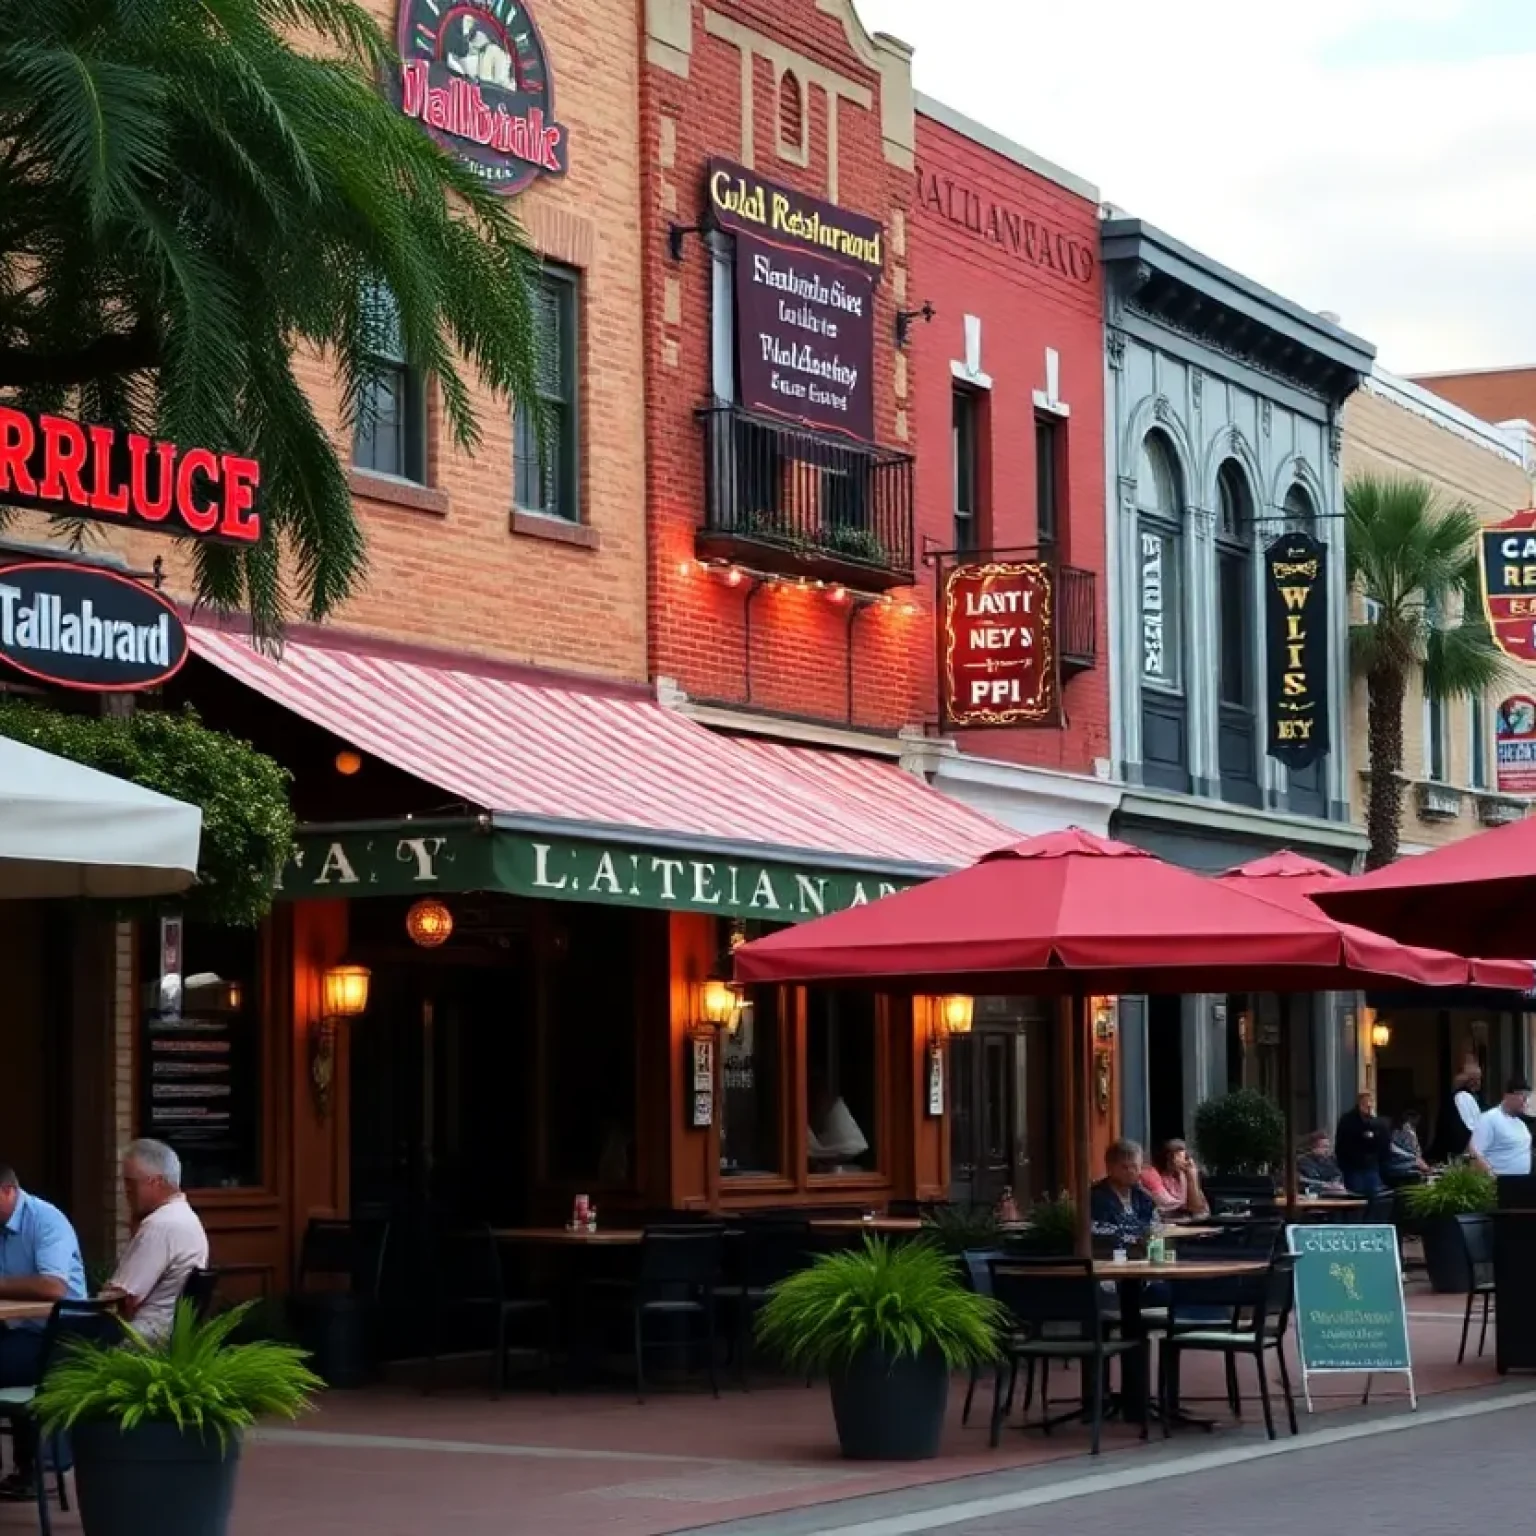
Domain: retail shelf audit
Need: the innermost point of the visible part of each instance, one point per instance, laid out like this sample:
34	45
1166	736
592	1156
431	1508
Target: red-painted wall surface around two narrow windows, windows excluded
1025	305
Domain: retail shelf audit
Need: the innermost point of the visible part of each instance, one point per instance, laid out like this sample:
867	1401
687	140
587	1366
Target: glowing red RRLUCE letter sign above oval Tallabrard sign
111	475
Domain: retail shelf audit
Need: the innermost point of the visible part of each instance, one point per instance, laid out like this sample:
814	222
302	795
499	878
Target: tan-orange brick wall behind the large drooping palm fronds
460	577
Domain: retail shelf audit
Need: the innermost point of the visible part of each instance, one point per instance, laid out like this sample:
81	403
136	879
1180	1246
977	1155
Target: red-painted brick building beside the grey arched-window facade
1010	399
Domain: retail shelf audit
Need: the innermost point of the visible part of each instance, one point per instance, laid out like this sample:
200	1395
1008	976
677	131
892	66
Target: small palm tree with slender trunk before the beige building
1415	560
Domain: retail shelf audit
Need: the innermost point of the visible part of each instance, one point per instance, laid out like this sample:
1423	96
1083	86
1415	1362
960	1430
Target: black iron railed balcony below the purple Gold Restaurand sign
801	505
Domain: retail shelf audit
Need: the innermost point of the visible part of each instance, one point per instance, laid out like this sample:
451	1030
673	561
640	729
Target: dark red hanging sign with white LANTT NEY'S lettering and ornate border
998	644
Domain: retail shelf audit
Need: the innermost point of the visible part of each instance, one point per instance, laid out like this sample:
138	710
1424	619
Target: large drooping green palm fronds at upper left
196	193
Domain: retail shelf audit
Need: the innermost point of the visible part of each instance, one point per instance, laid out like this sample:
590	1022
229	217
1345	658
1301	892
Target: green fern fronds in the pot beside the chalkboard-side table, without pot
902	1299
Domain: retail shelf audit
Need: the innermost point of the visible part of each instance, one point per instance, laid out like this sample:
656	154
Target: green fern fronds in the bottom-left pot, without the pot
194	1380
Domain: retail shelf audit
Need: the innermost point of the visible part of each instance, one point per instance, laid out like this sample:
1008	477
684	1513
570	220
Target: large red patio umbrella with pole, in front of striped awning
1071	915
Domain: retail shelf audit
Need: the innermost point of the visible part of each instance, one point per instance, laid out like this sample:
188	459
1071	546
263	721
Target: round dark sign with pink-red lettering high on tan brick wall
477	78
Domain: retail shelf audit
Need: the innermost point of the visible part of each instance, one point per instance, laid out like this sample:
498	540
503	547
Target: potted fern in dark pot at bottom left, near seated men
157	1428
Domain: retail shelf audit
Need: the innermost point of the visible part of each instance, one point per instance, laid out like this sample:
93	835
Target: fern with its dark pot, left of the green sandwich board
889	1323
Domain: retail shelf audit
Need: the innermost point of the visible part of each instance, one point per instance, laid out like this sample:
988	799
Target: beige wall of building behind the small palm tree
1388	439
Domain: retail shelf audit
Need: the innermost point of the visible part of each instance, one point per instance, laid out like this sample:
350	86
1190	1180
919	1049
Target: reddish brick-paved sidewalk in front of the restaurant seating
392	1463
